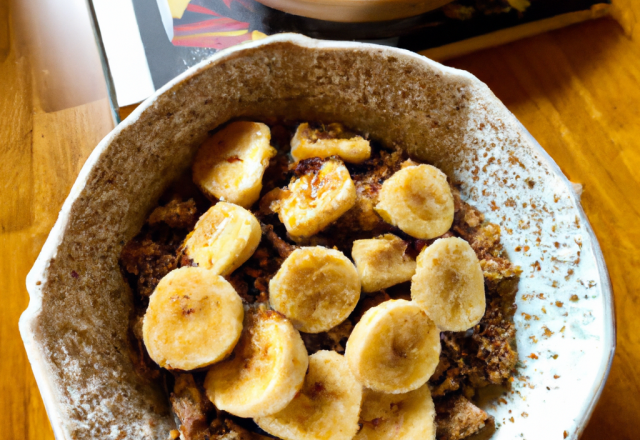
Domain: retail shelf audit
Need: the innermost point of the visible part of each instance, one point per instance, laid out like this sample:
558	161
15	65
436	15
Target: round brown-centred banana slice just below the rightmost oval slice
394	348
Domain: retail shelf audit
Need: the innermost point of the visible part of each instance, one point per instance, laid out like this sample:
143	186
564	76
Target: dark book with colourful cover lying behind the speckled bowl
146	43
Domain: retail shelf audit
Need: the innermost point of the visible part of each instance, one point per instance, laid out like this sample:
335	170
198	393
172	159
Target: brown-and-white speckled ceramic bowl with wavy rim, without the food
75	329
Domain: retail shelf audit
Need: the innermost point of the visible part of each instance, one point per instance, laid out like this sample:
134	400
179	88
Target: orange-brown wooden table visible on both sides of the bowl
577	90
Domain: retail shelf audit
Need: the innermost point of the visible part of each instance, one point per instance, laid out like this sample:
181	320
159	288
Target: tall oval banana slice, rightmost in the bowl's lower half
449	284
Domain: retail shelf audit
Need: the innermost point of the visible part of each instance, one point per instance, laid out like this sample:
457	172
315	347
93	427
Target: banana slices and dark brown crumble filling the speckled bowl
374	297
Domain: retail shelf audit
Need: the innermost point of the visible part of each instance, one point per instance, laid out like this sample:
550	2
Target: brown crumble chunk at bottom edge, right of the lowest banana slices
458	418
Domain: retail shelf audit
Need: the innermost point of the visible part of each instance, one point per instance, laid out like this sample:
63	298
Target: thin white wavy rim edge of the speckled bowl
39	271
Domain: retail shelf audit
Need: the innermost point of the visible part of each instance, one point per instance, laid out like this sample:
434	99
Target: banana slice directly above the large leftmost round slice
224	237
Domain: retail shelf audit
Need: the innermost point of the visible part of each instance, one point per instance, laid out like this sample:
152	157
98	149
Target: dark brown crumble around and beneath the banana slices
481	356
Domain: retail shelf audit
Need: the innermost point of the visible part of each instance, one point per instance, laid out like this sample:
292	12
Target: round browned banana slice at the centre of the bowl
317	288
